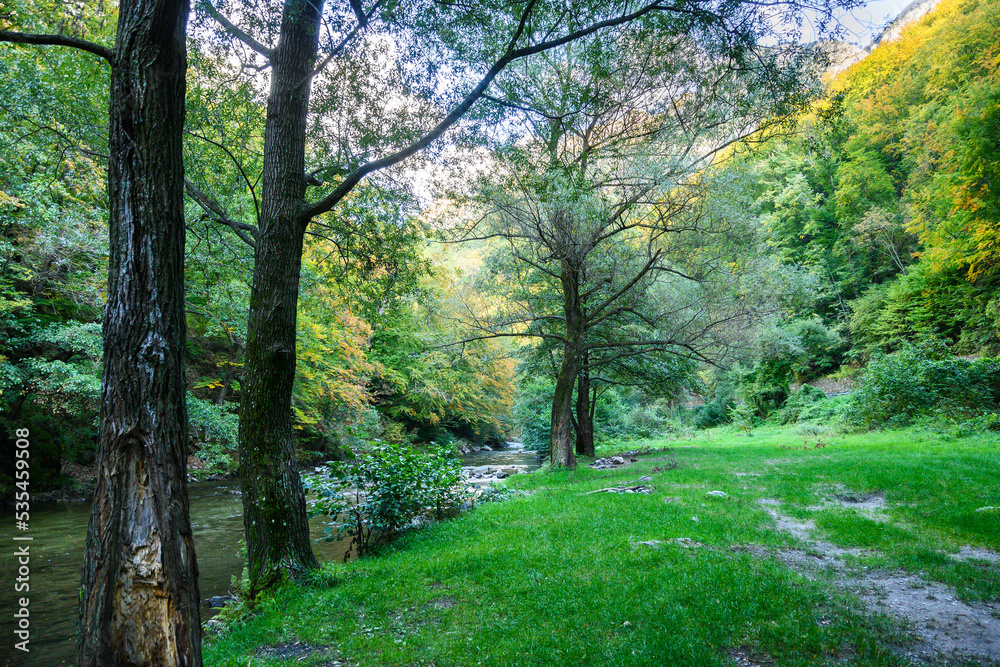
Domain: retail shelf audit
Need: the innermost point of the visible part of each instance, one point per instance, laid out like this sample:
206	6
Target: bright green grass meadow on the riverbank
556	577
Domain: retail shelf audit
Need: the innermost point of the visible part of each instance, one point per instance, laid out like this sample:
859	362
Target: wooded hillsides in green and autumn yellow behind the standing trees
878	218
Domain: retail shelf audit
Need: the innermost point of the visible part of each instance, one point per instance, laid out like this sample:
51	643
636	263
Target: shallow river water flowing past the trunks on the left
59	532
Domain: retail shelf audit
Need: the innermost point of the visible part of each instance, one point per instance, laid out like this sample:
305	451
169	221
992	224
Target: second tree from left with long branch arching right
364	130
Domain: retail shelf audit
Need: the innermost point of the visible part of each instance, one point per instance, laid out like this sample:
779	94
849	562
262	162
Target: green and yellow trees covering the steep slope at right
889	196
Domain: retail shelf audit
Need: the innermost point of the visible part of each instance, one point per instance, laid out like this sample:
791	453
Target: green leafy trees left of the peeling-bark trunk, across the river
53	257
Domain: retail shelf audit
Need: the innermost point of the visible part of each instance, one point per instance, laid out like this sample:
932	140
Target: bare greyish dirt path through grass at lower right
945	625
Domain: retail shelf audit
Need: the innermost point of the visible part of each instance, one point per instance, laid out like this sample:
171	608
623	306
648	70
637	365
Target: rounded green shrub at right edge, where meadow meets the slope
923	381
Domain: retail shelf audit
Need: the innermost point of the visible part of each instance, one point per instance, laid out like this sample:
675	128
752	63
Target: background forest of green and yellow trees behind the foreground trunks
870	216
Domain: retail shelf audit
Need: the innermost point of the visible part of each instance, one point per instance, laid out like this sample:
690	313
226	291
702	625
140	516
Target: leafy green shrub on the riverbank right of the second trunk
387	485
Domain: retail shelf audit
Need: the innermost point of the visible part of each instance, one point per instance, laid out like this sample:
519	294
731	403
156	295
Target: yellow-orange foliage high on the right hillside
931	100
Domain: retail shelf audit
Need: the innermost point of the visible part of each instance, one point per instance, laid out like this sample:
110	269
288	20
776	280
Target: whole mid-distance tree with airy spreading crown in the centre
622	241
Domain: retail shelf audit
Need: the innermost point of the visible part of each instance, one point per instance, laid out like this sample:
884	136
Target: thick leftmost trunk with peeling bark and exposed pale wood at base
139	603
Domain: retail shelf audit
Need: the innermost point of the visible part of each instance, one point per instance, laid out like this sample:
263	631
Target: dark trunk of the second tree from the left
274	508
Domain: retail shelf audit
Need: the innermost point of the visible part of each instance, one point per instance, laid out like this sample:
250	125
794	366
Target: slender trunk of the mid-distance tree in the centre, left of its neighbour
561	439
